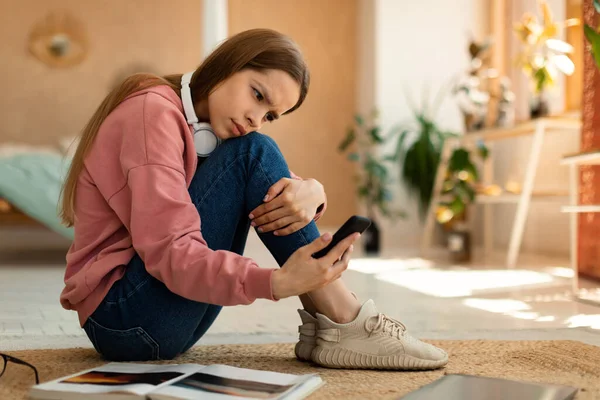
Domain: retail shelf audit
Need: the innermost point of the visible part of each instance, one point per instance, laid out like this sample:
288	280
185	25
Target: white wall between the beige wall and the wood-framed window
415	48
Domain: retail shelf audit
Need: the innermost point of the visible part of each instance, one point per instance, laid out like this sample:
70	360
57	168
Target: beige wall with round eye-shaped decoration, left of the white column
41	105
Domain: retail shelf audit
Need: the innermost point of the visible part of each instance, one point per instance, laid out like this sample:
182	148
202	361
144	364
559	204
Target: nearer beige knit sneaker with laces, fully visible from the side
373	341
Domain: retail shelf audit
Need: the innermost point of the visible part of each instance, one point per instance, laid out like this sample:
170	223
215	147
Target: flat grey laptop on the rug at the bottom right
469	387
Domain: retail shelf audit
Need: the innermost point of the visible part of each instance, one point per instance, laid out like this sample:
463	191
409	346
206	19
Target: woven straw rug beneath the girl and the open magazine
559	362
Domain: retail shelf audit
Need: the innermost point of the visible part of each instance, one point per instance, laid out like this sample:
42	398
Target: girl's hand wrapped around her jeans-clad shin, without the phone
290	205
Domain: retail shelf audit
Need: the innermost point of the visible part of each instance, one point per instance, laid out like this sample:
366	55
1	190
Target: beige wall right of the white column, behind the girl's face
326	33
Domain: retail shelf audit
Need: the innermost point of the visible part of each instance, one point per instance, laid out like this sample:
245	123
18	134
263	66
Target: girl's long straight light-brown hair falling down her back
258	49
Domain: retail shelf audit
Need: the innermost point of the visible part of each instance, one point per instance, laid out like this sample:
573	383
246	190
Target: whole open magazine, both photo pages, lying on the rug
121	381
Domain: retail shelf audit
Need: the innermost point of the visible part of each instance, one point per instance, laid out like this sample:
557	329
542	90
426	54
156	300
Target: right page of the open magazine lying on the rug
220	382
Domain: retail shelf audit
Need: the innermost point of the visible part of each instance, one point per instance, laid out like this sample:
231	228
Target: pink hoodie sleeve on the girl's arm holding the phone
165	225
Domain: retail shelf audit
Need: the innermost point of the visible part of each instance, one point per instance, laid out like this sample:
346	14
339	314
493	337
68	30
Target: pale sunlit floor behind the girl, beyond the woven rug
434	299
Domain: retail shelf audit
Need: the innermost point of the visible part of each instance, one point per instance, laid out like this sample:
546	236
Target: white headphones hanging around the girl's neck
205	139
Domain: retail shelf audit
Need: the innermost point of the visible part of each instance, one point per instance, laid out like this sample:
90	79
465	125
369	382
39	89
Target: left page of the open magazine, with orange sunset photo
116	378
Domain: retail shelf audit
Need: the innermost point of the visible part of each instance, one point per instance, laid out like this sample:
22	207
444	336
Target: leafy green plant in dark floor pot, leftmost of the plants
373	180
